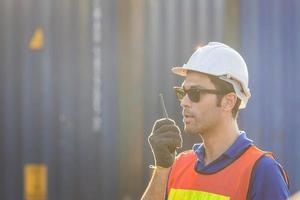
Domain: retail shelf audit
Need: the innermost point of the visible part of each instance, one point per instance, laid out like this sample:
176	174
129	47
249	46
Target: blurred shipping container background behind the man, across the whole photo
84	104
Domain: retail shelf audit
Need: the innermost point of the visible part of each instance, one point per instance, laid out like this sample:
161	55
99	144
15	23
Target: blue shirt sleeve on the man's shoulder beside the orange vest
268	182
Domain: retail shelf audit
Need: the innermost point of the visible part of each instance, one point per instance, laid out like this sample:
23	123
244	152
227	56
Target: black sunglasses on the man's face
193	93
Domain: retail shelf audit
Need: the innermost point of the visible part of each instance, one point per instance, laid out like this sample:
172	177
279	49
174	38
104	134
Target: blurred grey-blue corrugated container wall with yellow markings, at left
54	55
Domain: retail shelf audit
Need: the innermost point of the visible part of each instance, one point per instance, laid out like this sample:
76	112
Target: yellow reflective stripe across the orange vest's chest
180	194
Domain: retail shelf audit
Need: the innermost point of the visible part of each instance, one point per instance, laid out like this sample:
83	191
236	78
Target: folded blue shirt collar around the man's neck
240	144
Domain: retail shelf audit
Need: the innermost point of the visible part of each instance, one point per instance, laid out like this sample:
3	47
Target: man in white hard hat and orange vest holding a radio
226	165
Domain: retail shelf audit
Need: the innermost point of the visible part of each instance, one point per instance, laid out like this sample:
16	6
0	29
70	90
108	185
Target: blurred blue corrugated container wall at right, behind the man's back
271	44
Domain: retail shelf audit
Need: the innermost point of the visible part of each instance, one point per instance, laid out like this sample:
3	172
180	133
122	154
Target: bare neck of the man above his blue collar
219	140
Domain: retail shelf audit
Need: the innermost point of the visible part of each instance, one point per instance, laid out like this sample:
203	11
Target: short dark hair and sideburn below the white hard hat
225	87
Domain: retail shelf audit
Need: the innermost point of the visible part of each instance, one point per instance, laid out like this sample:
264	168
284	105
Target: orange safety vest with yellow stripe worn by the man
231	182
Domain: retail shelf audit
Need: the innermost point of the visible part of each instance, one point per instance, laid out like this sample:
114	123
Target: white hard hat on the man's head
220	60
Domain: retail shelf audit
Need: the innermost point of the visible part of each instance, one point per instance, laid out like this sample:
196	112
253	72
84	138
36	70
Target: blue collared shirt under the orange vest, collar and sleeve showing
268	181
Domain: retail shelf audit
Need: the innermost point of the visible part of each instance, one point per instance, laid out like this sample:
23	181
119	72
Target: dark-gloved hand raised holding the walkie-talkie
164	139
